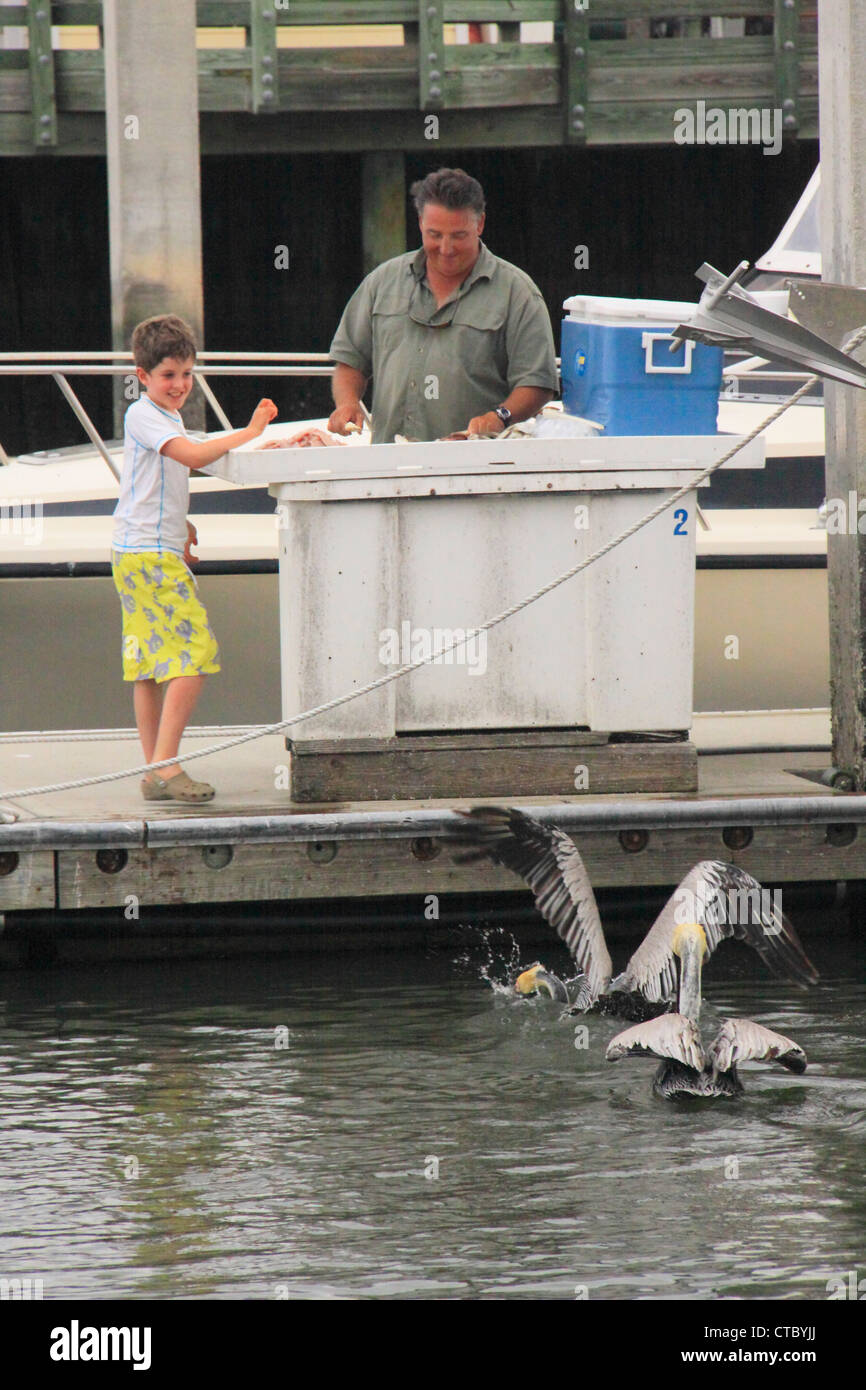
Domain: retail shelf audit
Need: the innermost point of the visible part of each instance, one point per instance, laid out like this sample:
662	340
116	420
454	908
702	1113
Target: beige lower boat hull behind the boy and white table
62	647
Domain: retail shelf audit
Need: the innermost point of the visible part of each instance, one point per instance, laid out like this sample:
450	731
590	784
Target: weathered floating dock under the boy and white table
102	858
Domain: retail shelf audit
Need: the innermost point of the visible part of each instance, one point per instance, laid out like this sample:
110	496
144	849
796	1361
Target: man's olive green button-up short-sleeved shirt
437	369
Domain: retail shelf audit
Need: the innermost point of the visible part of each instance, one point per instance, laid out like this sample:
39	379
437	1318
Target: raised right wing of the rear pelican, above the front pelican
728	903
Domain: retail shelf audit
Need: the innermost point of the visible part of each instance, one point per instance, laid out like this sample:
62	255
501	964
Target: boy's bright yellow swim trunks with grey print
166	629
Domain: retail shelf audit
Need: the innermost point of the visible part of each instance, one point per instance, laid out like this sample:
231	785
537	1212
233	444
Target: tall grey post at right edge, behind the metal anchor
843	151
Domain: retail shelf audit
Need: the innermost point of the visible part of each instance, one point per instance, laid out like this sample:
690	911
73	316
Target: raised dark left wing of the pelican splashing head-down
550	865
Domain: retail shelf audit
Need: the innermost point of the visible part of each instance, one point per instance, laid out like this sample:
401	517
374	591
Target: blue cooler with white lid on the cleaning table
618	368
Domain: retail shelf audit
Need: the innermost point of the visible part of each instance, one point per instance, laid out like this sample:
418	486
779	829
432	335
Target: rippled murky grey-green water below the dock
397	1128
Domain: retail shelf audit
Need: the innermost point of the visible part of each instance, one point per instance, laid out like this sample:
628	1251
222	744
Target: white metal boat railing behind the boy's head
65	365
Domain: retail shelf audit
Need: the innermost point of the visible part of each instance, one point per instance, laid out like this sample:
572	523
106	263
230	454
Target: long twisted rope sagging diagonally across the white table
262	732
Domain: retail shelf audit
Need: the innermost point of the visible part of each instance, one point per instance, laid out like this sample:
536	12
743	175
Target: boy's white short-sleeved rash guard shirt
152	509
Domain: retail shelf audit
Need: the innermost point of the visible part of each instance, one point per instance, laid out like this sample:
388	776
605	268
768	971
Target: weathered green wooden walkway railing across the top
615	72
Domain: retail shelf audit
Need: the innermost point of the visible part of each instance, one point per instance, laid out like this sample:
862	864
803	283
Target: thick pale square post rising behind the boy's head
152	137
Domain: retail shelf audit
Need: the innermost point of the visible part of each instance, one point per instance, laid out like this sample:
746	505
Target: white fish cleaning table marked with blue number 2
390	553
